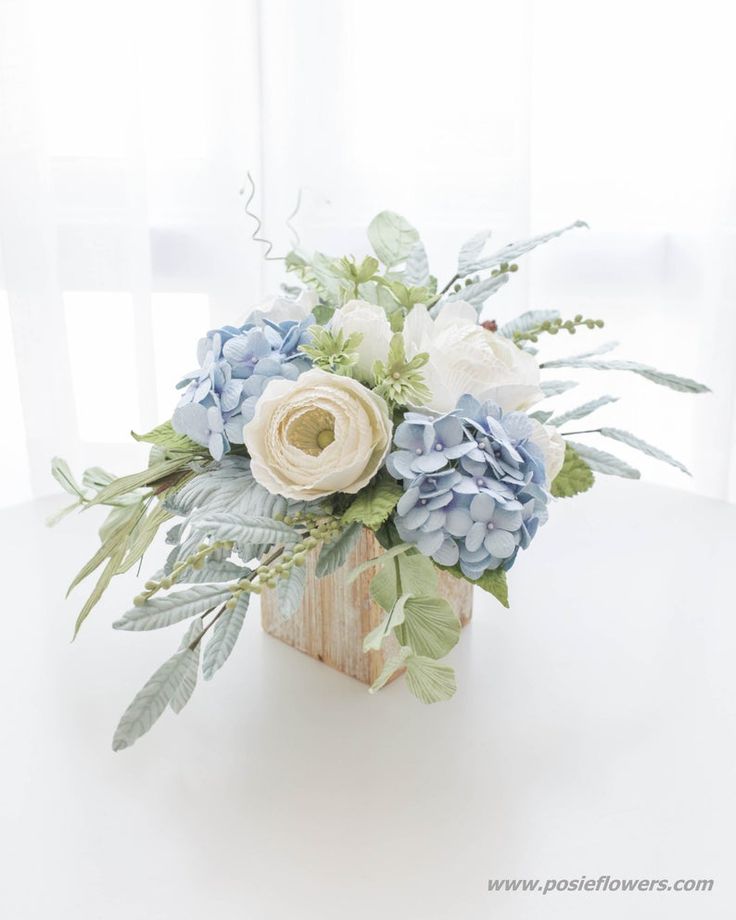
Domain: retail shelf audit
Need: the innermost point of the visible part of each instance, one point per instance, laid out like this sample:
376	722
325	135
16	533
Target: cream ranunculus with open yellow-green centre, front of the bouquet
316	435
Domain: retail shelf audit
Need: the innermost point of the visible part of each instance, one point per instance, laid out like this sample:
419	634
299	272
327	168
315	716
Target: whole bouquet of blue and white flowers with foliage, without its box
366	395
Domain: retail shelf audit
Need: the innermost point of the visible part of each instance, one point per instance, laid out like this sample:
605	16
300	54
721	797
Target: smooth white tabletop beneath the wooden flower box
592	734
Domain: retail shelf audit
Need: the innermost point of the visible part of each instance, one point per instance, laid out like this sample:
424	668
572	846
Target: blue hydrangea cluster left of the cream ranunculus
235	365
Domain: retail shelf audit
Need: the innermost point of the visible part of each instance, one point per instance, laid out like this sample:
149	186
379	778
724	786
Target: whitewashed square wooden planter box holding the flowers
335	616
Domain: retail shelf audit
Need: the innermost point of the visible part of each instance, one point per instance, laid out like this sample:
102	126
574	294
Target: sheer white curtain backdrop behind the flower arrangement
126	130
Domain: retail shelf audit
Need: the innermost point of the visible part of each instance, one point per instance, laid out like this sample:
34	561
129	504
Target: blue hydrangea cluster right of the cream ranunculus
474	485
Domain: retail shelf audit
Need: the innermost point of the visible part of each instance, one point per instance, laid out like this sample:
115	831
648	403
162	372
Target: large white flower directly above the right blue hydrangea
466	358
